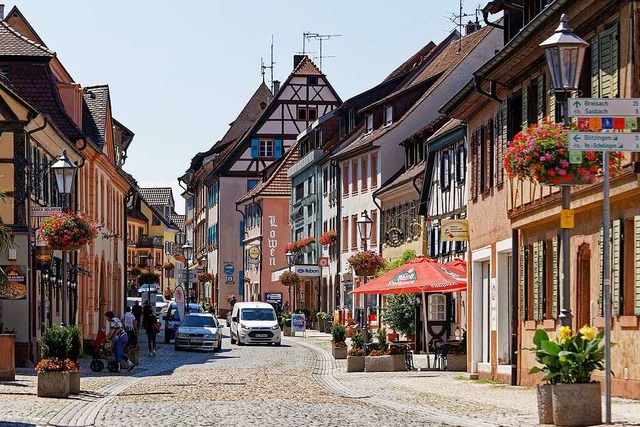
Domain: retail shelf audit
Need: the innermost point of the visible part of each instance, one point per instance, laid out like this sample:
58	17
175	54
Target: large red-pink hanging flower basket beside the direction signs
541	153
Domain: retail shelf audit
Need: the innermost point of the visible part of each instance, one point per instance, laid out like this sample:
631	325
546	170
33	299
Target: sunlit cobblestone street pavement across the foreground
298	383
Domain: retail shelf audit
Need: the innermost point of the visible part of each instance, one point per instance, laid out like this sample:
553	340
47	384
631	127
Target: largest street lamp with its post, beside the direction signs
564	52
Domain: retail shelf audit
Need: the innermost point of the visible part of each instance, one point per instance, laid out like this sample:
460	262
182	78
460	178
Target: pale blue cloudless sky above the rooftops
180	72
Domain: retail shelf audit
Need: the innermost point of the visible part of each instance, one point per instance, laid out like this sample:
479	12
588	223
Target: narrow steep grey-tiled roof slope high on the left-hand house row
94	113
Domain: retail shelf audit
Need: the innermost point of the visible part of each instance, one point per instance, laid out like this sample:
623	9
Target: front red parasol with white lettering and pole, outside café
419	275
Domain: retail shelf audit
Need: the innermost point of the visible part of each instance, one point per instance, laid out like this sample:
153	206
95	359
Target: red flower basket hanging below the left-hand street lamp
65	231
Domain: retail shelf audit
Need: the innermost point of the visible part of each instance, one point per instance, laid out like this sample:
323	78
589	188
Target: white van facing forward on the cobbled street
254	322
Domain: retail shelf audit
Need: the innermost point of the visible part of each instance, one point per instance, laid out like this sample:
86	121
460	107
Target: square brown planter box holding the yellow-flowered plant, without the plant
577	404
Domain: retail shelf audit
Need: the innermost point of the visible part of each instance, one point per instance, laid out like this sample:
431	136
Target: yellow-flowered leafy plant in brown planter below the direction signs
567	363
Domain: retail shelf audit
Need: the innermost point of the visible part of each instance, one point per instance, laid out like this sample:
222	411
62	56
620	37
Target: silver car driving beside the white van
199	331
